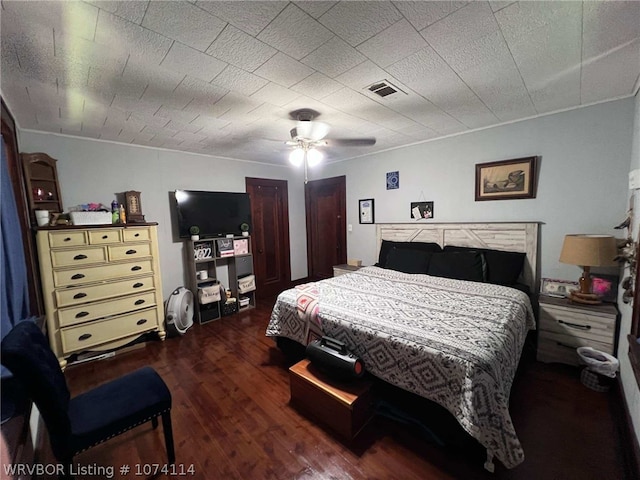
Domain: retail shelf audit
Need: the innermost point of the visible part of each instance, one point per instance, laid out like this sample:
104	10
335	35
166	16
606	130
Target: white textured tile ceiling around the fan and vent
220	78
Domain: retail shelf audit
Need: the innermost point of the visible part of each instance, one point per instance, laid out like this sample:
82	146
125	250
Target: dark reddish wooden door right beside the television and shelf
270	235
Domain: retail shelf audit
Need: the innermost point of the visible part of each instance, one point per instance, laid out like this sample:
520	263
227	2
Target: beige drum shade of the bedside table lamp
589	250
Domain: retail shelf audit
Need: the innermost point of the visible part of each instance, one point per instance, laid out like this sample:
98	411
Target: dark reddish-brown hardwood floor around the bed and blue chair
232	419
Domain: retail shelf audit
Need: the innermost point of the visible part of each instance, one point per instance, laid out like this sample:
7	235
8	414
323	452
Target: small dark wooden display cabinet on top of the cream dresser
41	177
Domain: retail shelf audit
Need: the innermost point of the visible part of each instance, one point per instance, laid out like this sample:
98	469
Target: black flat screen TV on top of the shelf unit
215	213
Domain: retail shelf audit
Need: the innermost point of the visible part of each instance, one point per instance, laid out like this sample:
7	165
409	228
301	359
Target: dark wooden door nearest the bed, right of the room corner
326	230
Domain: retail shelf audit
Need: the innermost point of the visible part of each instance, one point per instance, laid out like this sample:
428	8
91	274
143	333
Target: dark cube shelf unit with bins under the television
204	256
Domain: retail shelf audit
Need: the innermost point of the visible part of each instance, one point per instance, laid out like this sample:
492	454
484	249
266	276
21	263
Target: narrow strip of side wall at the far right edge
629	384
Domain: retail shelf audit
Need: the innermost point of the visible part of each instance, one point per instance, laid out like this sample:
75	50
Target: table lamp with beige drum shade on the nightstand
588	251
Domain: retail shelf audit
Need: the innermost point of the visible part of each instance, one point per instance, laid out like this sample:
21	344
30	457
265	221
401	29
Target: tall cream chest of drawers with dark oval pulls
102	286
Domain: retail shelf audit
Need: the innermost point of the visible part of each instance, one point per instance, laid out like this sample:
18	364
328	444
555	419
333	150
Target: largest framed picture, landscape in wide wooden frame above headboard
506	179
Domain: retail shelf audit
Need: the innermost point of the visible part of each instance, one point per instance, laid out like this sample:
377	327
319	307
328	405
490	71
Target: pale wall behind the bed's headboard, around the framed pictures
582	188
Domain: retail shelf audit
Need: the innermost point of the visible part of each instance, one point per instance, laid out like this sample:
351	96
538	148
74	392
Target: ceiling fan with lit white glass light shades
309	134
